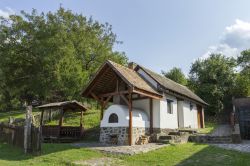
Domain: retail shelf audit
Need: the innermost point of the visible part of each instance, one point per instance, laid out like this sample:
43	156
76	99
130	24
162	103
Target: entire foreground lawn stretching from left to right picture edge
186	154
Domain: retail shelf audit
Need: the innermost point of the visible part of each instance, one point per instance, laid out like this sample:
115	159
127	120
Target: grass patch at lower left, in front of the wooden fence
52	154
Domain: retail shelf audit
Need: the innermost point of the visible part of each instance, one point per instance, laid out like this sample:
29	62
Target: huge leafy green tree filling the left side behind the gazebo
52	56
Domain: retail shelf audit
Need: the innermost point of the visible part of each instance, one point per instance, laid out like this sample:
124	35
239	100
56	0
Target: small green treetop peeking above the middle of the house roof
176	75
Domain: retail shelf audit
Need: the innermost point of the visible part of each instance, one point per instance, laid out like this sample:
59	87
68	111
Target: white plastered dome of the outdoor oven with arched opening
140	118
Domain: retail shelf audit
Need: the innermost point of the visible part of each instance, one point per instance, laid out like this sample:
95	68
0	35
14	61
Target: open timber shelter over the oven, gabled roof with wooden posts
120	85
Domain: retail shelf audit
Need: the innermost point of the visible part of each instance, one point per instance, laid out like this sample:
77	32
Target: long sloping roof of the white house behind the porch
171	85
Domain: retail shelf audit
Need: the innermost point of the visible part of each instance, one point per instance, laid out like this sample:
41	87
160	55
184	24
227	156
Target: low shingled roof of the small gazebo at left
72	105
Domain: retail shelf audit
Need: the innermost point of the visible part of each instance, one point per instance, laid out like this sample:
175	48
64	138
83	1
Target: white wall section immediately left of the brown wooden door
190	116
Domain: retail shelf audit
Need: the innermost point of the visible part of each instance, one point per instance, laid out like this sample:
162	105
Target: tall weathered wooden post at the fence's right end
27	130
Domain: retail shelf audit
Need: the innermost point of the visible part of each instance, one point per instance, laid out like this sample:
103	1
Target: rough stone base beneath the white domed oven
106	134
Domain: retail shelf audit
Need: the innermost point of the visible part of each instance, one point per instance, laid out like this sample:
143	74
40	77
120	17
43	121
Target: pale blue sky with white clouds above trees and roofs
161	34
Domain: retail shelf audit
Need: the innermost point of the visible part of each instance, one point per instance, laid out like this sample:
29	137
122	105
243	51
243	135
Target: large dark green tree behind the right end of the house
213	79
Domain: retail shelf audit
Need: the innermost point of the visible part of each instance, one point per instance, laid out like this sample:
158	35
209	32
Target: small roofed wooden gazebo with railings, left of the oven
59	131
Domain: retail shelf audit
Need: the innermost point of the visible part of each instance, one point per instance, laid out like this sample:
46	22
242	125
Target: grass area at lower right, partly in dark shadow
190	155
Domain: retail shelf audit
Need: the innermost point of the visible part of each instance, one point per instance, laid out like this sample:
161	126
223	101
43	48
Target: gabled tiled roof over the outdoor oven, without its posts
104	80
